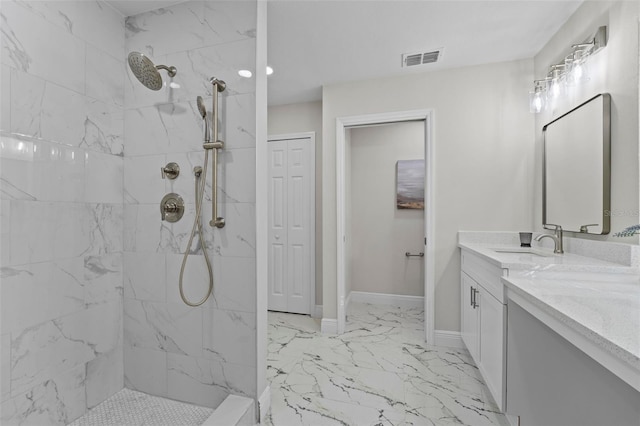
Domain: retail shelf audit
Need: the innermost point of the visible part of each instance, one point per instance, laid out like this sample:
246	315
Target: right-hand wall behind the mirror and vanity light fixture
614	70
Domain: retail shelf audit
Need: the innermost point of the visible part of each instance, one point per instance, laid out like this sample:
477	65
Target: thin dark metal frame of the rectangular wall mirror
606	164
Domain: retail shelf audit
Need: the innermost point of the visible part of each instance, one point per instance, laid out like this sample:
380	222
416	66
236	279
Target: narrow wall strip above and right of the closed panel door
298	118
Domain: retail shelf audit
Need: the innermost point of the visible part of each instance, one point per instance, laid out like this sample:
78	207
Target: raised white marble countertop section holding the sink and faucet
567	262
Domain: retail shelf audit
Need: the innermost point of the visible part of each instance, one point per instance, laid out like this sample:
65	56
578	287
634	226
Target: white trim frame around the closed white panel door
312	173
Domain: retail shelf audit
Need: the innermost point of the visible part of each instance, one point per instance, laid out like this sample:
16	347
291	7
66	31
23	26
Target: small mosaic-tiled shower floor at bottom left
131	408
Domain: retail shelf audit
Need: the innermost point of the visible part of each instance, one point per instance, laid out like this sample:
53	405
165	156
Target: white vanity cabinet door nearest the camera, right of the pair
492	345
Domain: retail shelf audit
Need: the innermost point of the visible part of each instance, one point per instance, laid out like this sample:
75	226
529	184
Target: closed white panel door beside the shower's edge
291	225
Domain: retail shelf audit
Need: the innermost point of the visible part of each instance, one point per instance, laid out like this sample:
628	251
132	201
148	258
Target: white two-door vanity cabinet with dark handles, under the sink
483	320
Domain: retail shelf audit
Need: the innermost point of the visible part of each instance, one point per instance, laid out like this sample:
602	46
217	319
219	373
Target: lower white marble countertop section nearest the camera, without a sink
604	308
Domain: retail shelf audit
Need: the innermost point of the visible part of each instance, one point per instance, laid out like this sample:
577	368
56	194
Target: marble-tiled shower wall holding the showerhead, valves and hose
202	354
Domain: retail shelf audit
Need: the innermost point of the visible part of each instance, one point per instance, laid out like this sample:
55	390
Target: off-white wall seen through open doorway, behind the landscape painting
381	233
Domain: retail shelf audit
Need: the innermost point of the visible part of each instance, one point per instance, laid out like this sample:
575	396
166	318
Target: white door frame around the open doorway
342	124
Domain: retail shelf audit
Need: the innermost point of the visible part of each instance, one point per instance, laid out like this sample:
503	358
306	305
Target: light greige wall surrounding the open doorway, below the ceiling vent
483	140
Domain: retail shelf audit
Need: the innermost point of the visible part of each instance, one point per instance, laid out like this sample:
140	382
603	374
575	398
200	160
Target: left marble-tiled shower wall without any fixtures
61	208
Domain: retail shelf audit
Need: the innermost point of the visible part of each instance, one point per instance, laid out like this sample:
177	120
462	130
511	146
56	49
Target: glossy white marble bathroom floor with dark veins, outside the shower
379	372
